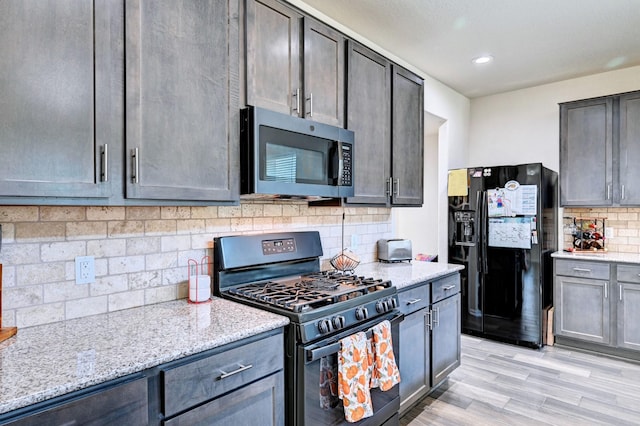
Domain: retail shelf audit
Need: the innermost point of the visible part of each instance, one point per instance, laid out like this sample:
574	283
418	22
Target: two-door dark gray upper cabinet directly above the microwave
294	64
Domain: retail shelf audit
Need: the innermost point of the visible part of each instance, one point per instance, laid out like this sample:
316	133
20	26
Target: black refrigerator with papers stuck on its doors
503	226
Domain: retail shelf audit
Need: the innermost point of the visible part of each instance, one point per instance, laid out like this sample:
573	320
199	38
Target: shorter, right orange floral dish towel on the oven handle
385	372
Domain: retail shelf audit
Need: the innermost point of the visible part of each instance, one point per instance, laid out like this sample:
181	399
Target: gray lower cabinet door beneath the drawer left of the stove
260	403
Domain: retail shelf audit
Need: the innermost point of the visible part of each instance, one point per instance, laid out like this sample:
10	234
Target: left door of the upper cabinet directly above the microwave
273	57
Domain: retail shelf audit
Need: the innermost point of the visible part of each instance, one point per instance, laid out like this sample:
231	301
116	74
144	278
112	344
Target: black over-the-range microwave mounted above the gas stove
283	156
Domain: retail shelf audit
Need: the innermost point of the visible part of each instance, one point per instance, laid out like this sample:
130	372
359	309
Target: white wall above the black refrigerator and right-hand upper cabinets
522	126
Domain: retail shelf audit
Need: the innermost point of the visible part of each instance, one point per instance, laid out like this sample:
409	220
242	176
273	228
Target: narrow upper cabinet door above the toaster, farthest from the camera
407	139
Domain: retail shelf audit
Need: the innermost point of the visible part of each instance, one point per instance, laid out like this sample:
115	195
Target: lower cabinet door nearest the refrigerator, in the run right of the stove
445	338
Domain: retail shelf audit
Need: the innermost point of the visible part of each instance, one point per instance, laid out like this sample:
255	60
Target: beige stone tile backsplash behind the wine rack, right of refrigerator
622	223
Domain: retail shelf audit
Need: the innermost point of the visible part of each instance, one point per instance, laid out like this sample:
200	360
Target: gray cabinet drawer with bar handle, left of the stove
201	380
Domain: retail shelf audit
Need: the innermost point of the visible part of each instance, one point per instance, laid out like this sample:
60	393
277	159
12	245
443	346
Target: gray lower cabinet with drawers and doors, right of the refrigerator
598	304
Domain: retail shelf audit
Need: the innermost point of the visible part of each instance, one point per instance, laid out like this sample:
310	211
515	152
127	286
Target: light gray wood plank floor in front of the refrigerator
501	384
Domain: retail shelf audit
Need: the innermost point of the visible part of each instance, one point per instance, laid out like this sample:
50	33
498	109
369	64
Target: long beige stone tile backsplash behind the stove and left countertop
141	253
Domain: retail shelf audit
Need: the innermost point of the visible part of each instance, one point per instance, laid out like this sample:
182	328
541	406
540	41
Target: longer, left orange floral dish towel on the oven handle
354	377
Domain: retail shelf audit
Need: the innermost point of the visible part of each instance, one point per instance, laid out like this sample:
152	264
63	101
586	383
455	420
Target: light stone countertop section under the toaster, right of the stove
404	274
